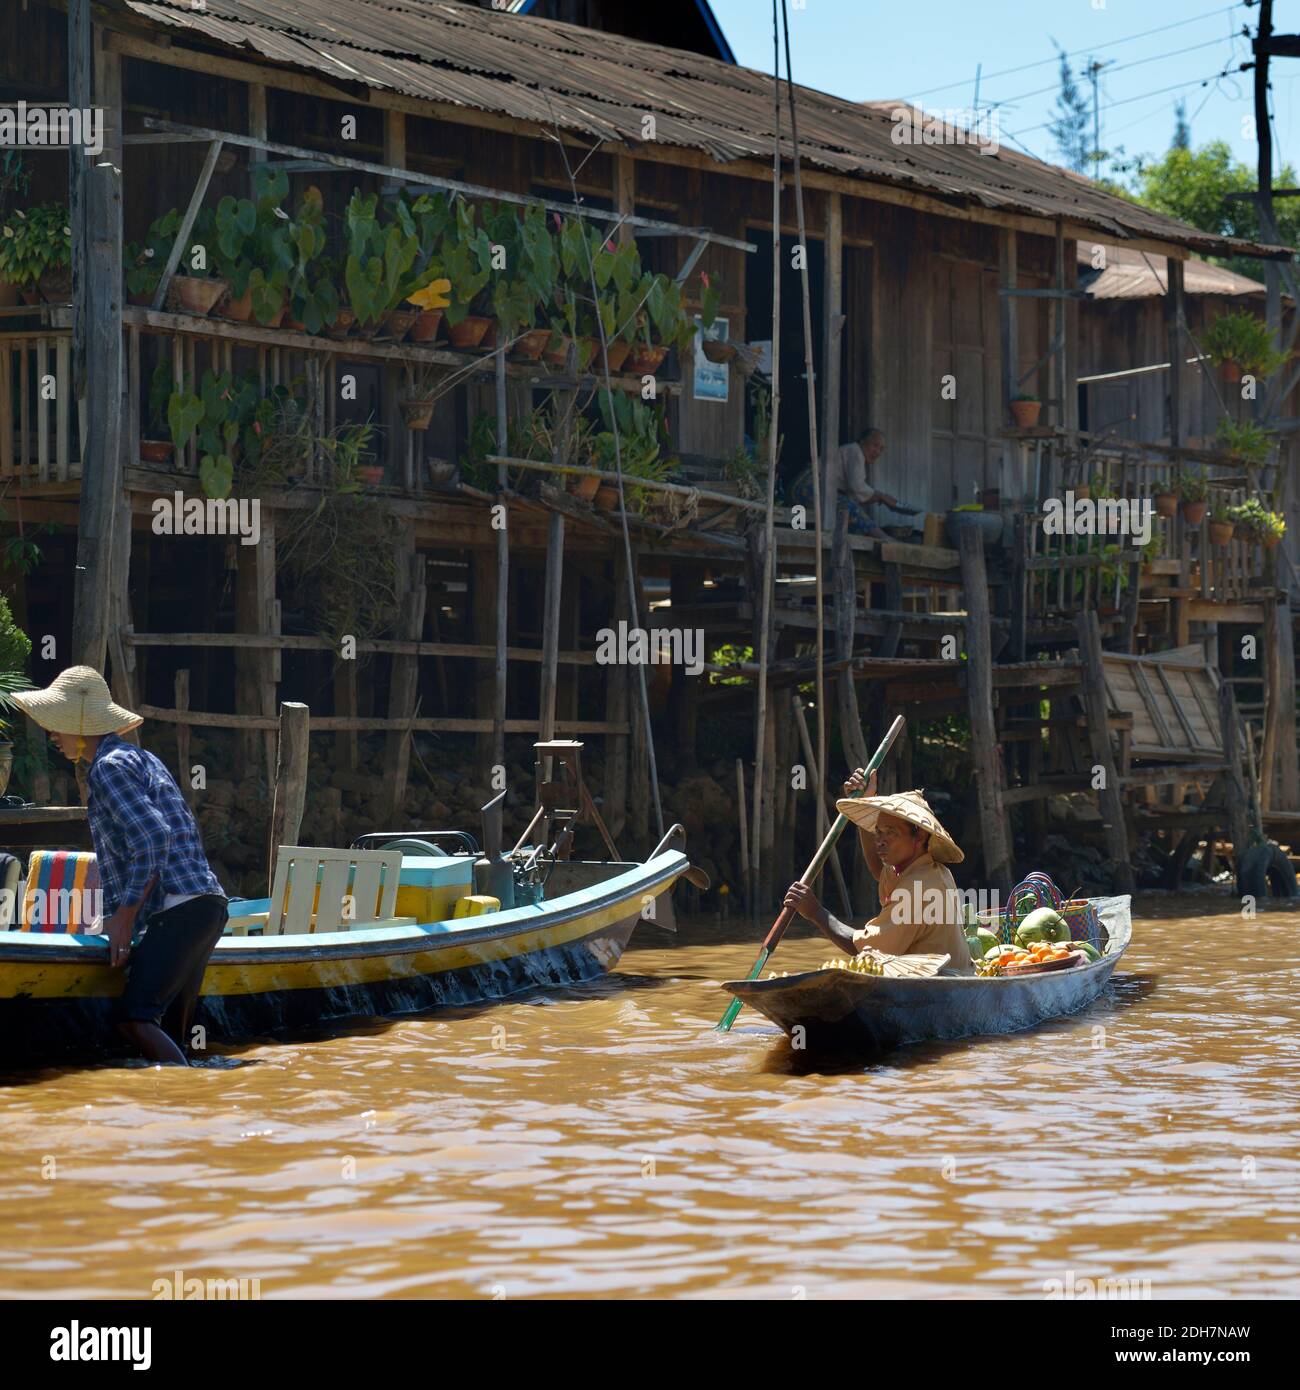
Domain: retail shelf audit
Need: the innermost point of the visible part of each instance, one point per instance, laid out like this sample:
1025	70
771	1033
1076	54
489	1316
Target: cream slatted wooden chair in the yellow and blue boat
358	889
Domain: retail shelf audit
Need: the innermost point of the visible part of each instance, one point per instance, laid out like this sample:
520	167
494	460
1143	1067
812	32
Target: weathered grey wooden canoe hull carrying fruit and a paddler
843	1011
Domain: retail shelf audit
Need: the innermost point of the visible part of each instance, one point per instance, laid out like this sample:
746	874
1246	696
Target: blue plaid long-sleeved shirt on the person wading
141	828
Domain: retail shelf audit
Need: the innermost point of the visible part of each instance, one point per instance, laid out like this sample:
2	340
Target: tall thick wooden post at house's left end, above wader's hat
98	336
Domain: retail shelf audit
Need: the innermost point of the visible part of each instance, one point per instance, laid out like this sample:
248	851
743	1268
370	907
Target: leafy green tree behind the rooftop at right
1194	187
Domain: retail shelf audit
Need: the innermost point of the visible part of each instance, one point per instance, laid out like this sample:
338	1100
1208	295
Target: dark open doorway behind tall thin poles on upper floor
793	423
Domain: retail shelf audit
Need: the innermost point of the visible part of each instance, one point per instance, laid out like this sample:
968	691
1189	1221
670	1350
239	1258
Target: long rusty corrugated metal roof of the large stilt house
603	85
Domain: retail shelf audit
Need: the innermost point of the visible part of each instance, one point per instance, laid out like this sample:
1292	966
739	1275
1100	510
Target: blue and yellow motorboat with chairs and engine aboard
421	935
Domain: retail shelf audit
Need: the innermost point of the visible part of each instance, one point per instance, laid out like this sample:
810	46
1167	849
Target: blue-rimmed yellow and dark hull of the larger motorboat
58	995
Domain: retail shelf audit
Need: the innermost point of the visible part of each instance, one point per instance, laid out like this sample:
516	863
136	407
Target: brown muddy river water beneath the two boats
607	1142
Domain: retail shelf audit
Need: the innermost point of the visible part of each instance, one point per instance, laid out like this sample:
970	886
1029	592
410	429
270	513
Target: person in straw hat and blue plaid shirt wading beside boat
151	862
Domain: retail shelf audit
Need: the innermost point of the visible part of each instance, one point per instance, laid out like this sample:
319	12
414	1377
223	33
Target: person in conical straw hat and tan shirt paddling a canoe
907	851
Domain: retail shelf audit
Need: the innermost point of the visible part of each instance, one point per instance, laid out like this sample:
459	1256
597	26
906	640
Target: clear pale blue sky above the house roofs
929	51
